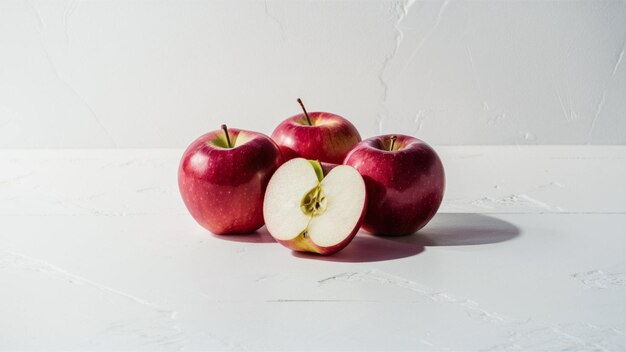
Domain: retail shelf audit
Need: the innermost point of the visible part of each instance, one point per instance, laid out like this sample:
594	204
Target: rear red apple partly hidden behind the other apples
328	139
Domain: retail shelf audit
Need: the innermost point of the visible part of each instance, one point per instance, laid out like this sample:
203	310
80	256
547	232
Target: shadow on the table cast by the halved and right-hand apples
443	230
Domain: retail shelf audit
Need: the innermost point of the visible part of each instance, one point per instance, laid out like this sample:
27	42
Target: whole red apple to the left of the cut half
223	188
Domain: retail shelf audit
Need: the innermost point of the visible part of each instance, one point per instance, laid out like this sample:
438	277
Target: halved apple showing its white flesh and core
308	211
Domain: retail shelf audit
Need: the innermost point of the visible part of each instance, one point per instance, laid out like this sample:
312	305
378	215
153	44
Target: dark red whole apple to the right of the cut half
404	187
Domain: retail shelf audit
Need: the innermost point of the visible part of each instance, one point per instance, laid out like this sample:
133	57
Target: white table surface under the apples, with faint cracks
528	252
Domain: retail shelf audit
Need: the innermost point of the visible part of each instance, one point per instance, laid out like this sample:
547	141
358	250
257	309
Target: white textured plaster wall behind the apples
158	74
